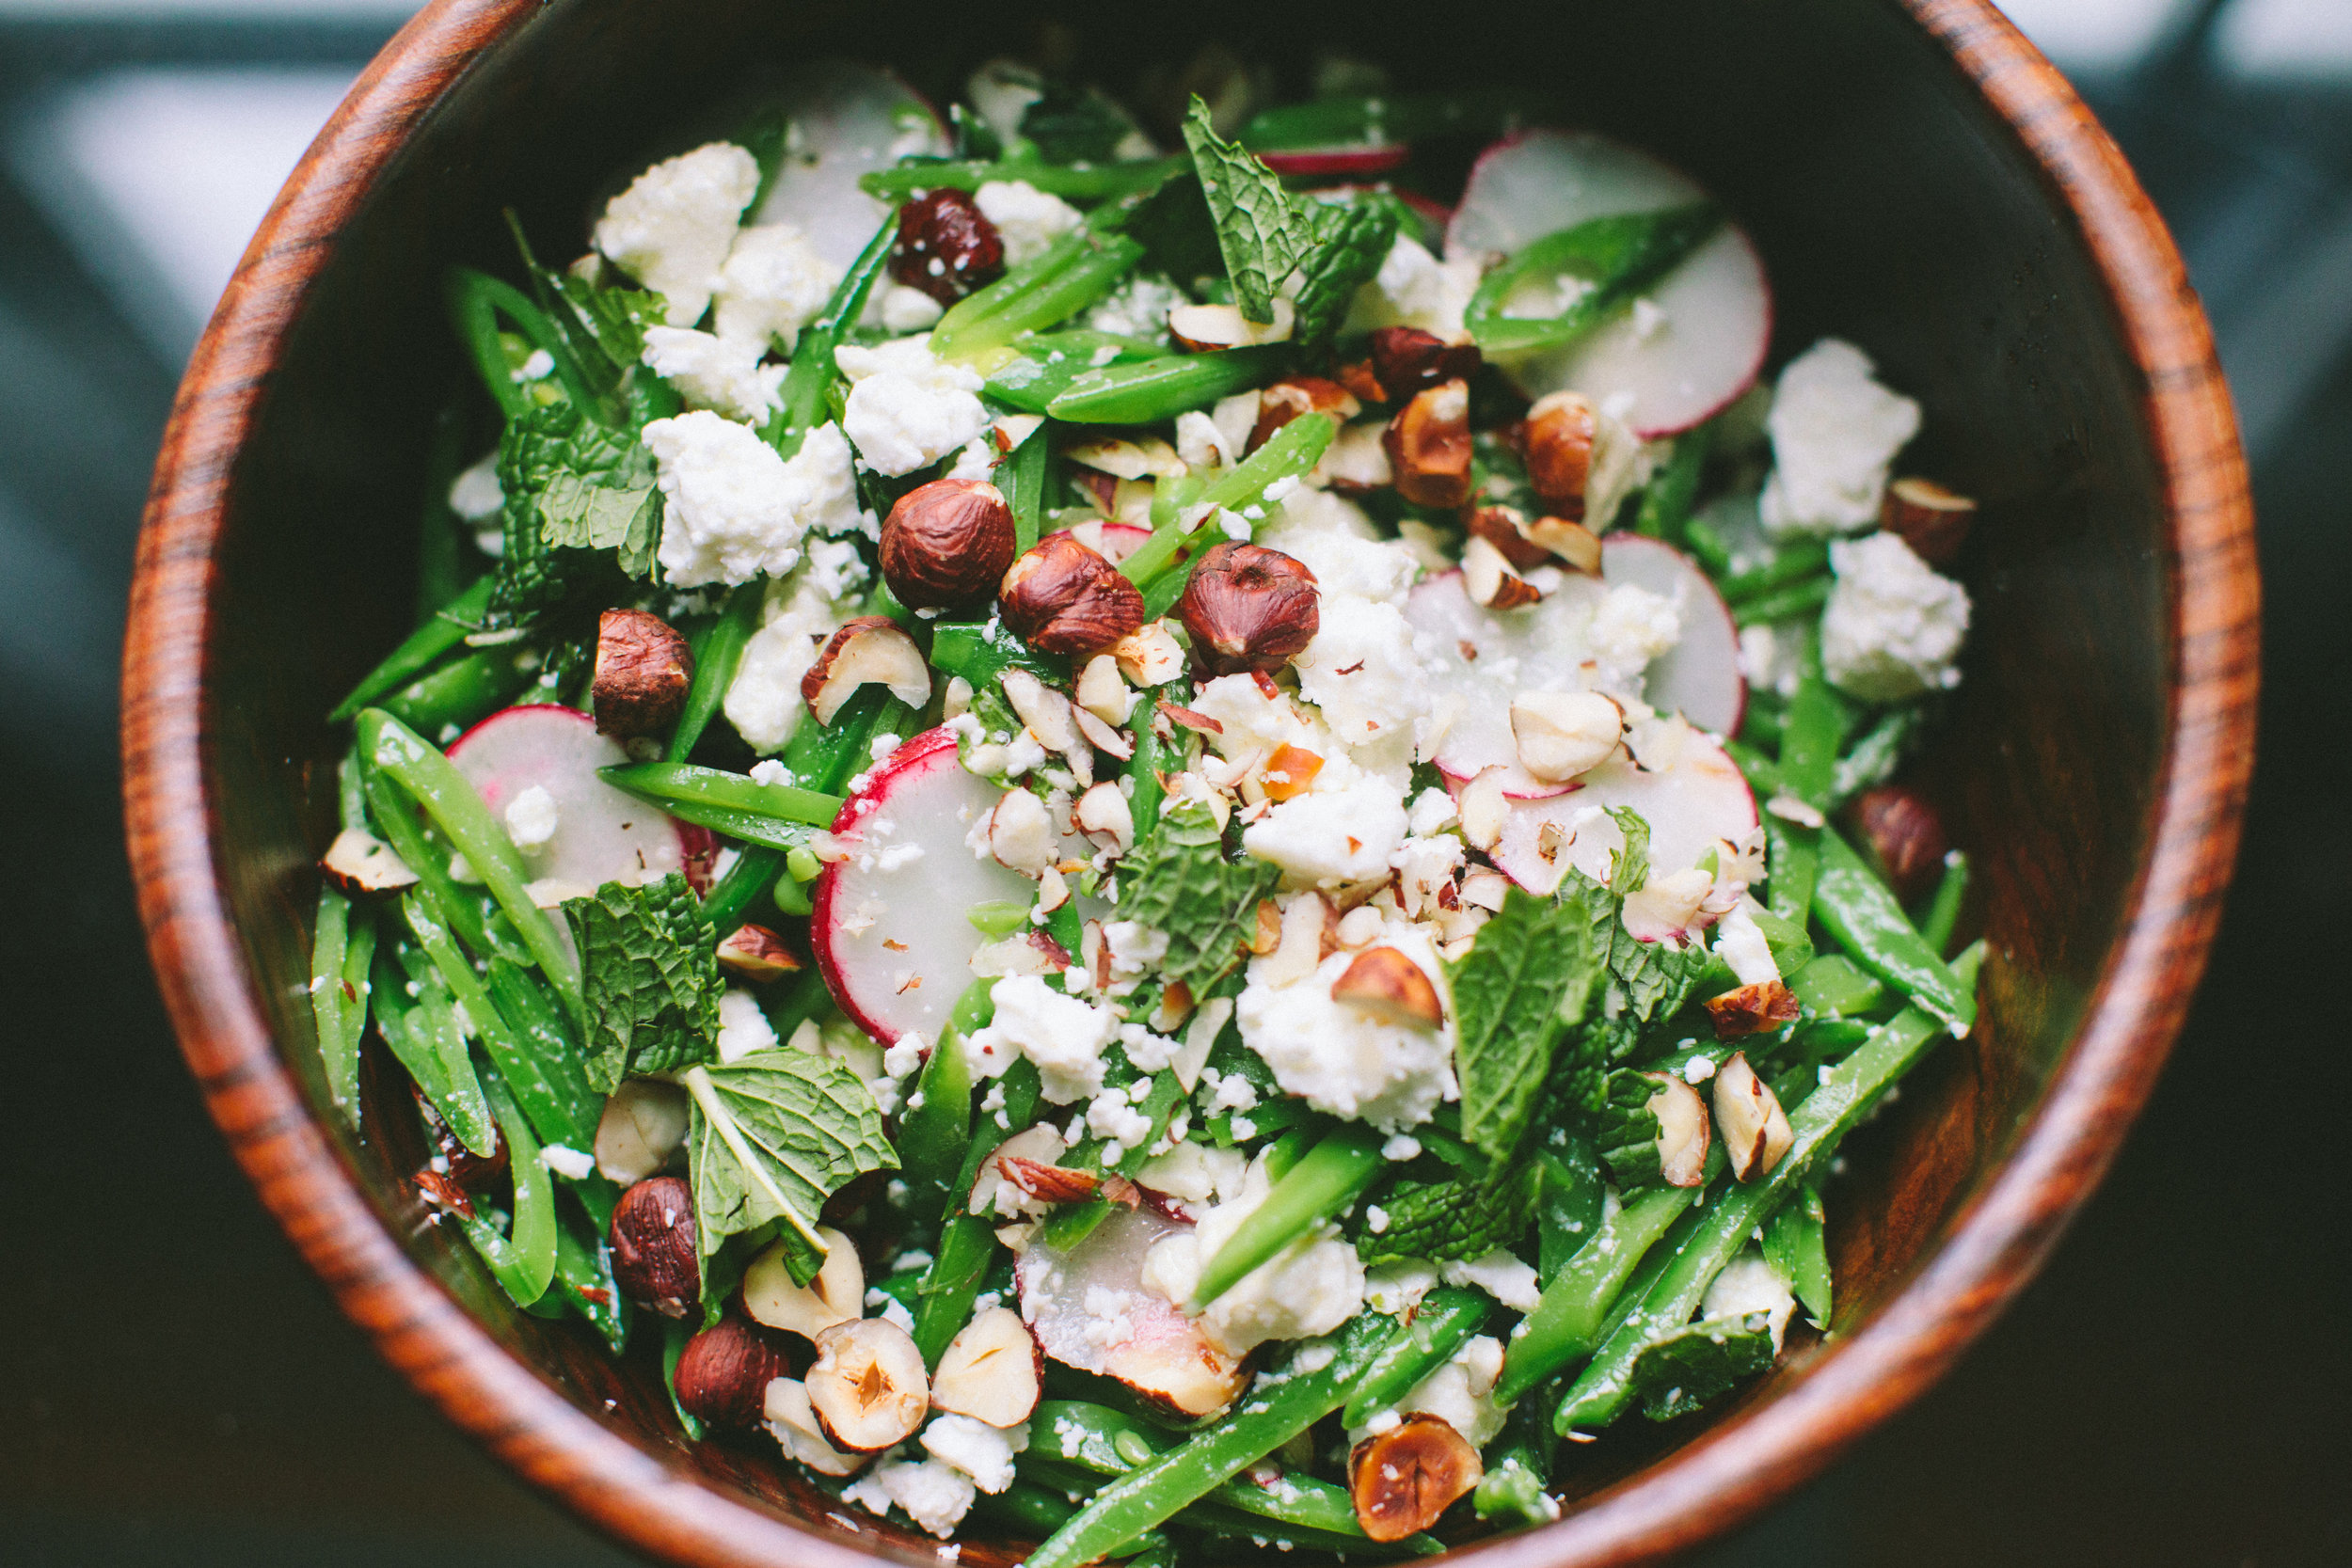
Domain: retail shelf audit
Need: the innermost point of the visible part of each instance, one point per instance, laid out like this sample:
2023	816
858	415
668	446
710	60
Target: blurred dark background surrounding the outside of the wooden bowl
178	1391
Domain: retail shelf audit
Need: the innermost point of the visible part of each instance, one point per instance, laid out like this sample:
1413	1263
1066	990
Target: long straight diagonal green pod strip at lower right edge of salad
1845	1094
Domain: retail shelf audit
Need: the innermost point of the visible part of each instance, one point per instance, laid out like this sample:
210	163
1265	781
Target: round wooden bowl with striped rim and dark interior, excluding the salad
1920	182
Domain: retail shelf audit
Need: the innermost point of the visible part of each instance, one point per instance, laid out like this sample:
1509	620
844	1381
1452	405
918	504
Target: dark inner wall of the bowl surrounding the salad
1895	208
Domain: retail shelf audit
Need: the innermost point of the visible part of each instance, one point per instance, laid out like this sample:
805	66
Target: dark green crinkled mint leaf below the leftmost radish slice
650	979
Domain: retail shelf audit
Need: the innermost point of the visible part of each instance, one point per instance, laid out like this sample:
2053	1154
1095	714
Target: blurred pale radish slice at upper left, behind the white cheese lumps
846	121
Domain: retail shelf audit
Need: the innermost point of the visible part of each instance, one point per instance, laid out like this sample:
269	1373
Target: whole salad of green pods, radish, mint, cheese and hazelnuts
1144	826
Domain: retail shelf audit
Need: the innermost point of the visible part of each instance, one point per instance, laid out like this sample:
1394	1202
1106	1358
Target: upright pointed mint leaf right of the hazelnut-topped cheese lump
1516	993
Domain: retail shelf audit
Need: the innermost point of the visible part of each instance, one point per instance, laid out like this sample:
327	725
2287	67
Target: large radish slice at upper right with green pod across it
1662	370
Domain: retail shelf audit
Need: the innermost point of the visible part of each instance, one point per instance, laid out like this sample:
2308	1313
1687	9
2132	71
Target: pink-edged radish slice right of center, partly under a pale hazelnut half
1699	803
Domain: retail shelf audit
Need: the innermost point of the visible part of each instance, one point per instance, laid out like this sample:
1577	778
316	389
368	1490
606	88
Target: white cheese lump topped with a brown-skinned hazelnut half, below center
1344	1061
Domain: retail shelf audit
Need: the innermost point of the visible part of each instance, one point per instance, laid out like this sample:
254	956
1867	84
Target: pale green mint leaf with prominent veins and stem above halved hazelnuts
775	1137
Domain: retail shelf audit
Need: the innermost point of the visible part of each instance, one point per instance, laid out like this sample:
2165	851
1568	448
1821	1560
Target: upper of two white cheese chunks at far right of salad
1833	434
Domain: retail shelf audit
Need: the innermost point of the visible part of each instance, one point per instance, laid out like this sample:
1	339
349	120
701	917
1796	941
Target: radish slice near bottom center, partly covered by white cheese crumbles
1093	1311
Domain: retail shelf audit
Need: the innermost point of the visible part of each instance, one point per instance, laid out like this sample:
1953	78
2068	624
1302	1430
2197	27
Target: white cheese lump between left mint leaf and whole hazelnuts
735	509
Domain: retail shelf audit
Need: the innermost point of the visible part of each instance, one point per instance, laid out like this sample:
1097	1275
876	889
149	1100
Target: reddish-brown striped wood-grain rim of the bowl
1702	1489
